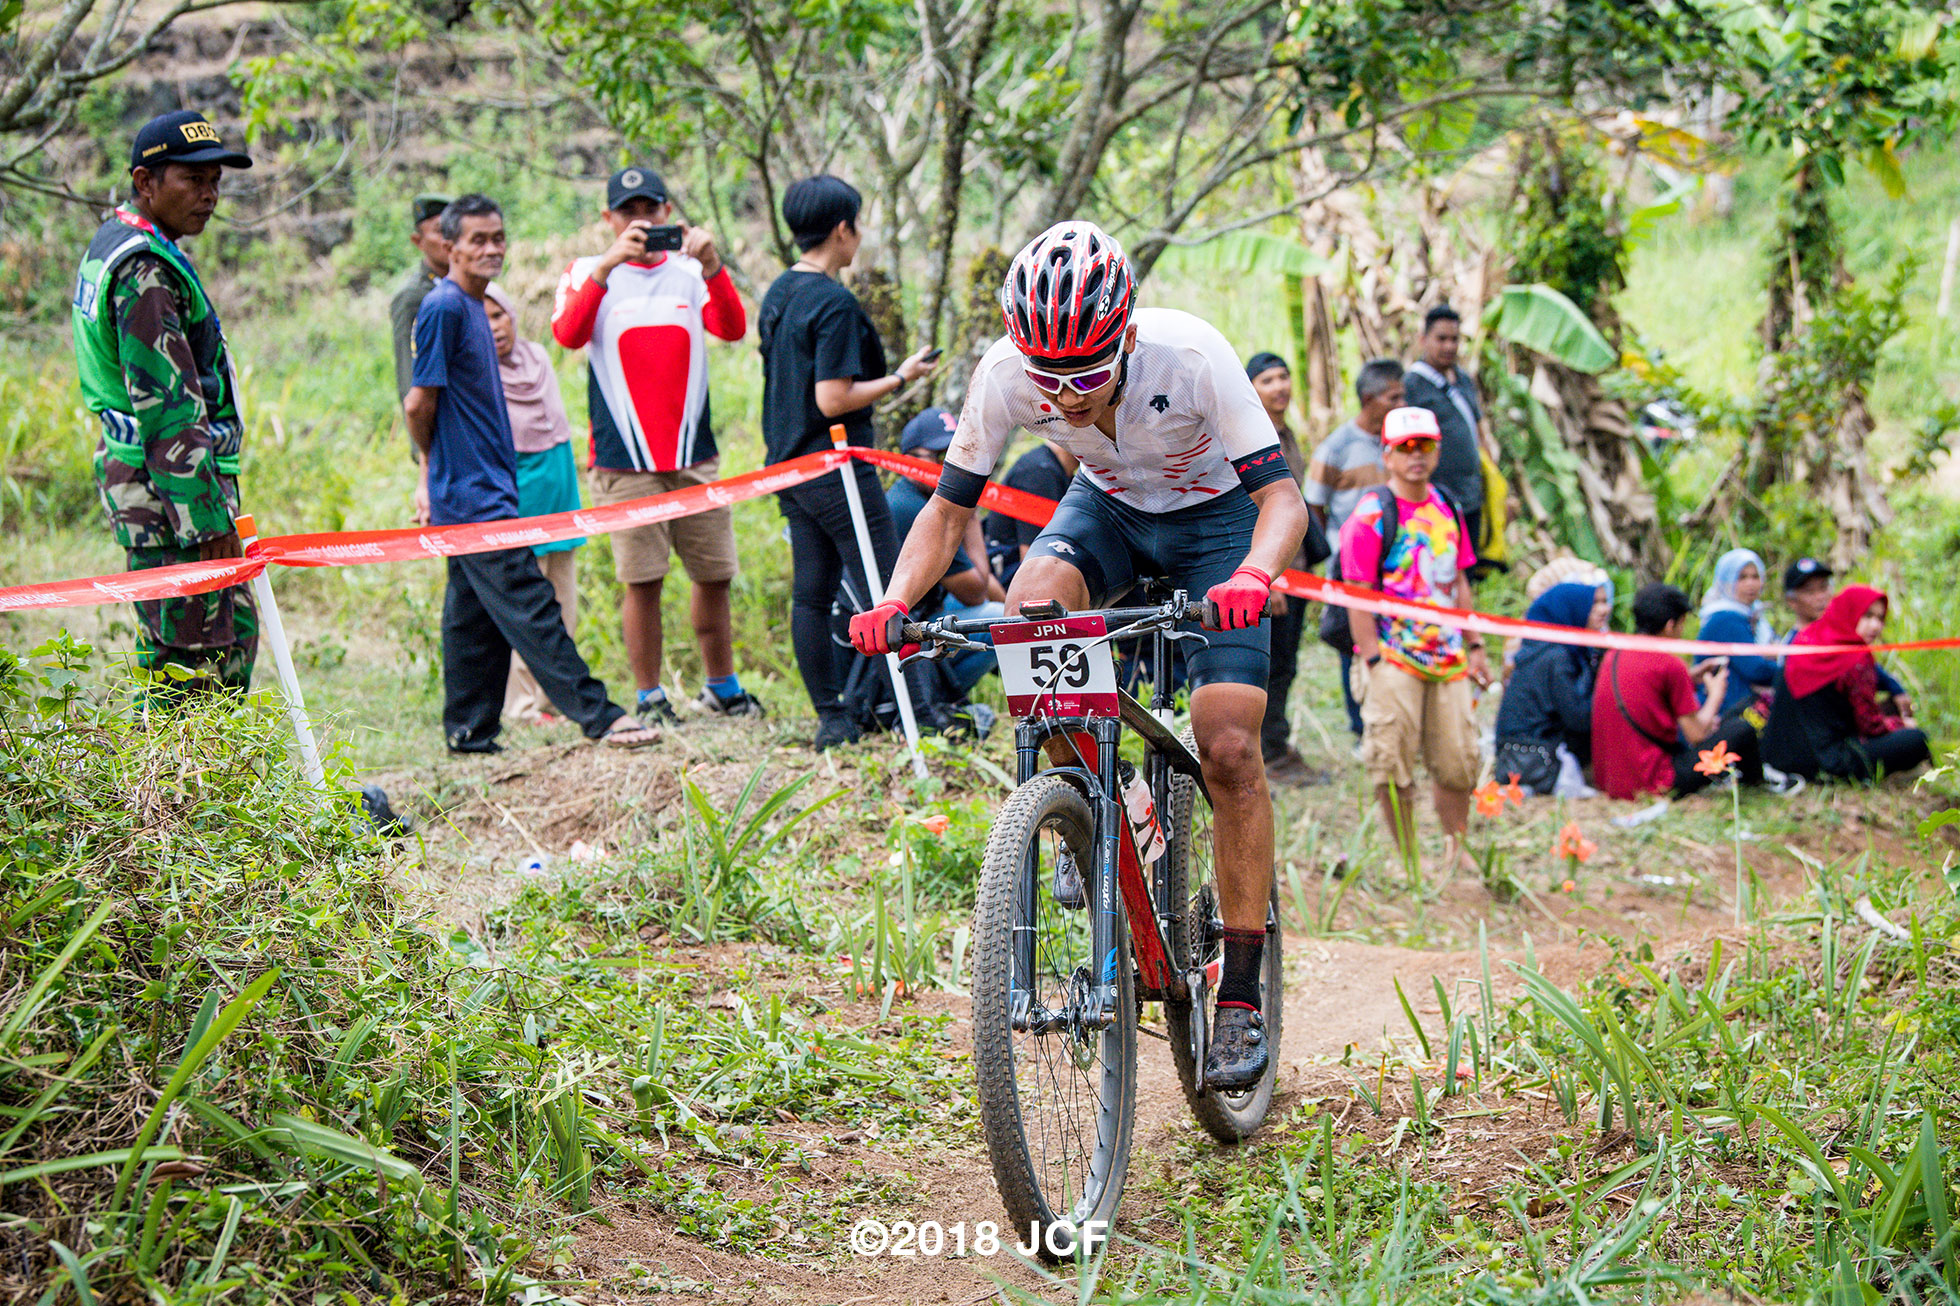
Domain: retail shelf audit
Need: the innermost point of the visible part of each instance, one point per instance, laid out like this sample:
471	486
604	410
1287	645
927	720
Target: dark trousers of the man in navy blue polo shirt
497	605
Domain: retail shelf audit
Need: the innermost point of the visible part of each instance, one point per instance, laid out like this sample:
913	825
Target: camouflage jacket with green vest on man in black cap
156	370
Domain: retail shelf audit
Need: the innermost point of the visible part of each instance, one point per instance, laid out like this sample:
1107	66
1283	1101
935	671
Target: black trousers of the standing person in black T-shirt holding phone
822	552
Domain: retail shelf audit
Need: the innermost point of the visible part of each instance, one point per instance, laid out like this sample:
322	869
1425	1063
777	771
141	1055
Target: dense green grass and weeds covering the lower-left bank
195	940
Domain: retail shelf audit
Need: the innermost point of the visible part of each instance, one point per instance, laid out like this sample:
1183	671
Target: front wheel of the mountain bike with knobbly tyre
1057	1074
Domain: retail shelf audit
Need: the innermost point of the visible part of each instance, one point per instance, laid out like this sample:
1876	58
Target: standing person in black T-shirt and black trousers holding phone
822	366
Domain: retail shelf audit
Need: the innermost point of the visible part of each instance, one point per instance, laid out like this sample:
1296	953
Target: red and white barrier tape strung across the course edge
395	546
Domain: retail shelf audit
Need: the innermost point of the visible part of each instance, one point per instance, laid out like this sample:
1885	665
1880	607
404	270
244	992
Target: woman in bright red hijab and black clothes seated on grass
1826	717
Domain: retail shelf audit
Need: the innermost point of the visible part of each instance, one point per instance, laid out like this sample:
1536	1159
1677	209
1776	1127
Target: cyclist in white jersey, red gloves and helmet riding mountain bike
1181	477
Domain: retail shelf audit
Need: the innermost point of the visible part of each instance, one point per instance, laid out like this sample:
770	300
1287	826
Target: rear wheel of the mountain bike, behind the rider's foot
1199	944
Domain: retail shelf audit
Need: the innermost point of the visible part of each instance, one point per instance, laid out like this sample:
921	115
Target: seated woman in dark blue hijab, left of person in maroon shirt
1545	717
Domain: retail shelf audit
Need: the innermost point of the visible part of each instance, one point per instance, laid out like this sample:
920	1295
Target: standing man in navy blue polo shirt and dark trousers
497	603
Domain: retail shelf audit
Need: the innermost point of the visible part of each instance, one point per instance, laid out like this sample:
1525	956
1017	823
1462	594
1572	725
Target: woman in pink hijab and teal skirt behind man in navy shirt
548	477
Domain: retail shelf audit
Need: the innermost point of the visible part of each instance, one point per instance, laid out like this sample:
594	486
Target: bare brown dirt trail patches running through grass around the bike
1342	1003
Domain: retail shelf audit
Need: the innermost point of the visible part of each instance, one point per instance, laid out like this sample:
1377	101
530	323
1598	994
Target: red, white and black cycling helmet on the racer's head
1069	295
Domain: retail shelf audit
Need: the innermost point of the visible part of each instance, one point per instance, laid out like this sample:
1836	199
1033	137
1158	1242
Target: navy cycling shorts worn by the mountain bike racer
1116	546
